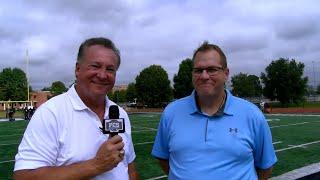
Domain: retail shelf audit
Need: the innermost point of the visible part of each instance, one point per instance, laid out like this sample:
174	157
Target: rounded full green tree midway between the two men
153	86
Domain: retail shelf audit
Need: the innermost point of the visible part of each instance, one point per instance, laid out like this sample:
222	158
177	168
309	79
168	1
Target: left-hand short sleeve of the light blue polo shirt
160	147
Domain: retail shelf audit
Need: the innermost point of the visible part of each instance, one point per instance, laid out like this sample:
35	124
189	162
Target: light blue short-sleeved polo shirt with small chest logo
228	146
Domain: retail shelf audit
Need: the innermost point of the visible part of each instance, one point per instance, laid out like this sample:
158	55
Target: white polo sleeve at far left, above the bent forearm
39	145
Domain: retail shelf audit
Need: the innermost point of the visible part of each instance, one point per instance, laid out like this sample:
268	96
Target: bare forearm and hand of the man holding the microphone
108	156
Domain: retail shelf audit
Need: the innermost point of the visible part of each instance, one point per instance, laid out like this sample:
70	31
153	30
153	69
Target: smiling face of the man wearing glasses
208	75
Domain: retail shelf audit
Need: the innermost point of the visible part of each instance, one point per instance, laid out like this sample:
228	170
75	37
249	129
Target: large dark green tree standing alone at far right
283	81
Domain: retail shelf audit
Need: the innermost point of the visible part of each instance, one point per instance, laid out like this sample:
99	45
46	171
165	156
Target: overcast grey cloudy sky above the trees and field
164	32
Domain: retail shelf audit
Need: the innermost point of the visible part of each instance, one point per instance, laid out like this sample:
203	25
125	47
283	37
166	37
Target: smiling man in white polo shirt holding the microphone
63	139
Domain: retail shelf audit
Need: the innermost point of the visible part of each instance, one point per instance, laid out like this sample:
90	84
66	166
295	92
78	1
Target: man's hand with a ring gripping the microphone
109	154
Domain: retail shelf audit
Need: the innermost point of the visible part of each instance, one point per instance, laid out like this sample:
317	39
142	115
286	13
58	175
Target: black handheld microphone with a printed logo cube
114	124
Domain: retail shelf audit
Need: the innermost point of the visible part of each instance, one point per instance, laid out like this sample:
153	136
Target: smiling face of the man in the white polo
96	71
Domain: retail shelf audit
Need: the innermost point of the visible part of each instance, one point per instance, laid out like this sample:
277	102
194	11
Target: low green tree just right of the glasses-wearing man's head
245	85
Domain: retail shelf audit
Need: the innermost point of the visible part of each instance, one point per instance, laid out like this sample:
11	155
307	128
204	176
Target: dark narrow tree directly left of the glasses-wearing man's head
183	80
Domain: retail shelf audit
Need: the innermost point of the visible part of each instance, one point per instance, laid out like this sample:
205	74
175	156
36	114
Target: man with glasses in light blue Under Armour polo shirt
212	134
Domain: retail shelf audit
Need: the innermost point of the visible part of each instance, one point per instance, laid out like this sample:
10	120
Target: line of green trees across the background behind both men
282	80
